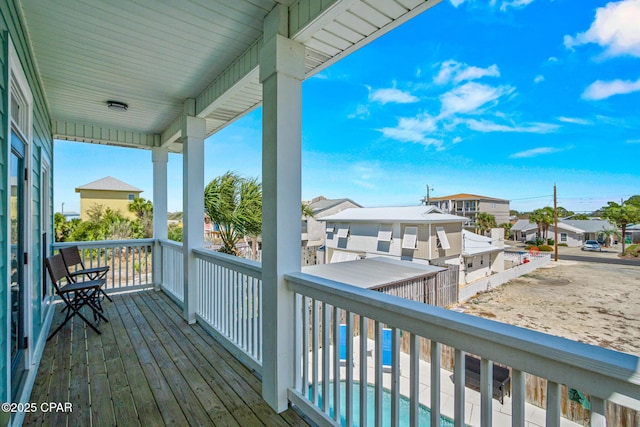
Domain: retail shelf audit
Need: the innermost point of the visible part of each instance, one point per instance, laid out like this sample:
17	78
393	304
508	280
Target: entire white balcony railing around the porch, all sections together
332	316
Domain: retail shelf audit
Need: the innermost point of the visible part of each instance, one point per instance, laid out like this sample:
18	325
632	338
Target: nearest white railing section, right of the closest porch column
321	305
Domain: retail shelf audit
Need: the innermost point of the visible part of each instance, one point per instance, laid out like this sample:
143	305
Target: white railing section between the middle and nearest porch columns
230	303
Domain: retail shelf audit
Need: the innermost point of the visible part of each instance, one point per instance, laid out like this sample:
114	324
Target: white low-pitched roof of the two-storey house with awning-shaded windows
395	214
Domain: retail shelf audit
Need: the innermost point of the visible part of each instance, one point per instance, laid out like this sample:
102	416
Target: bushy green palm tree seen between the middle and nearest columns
235	204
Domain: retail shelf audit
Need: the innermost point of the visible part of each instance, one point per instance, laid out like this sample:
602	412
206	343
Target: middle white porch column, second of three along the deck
193	132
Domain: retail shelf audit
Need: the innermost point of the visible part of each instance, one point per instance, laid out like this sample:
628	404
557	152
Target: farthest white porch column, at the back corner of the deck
159	156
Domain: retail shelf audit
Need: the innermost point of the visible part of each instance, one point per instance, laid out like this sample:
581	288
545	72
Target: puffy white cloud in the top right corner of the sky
616	28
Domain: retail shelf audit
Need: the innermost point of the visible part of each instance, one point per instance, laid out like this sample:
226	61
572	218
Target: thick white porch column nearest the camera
281	74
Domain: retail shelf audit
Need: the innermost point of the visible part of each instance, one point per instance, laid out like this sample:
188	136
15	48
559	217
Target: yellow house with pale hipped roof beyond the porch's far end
108	192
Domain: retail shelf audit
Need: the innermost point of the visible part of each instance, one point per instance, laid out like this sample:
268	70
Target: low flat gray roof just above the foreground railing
372	273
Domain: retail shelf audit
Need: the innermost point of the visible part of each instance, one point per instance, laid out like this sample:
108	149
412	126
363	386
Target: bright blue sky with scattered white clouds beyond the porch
501	98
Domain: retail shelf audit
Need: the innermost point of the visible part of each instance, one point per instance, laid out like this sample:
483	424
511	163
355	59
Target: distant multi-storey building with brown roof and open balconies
470	205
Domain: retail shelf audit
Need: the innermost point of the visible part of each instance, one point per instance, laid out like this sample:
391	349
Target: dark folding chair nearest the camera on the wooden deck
75	295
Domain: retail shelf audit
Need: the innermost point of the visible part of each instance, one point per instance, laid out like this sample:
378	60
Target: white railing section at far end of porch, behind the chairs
130	261
